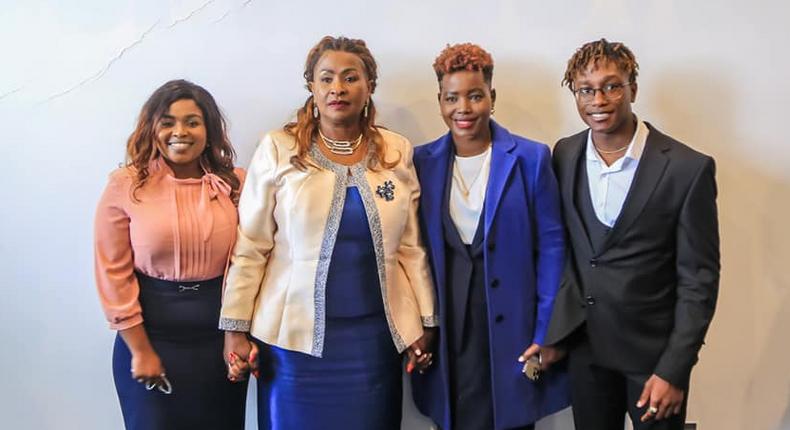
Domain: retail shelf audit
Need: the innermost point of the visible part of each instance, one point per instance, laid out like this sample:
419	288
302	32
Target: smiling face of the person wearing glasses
606	117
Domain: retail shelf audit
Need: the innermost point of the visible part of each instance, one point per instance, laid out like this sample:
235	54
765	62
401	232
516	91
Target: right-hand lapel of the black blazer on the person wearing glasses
651	167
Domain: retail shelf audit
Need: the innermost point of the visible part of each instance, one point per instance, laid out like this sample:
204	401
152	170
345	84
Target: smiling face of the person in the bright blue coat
465	101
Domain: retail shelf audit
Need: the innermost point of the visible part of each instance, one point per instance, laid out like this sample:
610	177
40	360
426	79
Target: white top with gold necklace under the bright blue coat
468	191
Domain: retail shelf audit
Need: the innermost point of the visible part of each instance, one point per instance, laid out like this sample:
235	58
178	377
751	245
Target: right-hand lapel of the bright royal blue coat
502	163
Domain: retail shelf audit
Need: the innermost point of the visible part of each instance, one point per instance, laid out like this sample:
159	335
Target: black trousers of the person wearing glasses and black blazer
601	397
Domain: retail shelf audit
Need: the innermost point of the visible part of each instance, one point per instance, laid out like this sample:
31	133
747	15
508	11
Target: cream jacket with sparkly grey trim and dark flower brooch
288	222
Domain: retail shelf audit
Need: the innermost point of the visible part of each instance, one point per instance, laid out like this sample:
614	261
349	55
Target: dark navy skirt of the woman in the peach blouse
181	322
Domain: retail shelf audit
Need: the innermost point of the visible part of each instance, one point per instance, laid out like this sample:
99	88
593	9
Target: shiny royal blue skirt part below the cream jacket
355	385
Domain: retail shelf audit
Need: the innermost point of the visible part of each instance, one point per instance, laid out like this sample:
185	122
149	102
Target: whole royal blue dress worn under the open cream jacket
356	384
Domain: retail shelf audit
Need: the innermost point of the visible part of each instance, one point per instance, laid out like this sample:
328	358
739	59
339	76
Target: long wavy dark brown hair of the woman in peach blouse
142	148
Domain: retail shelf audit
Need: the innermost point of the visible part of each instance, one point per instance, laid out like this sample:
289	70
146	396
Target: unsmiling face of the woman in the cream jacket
340	87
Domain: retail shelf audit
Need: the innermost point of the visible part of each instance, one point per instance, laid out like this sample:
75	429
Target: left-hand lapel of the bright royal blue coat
432	182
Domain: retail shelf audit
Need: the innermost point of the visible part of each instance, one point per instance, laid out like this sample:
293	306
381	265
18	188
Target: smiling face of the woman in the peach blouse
181	138
